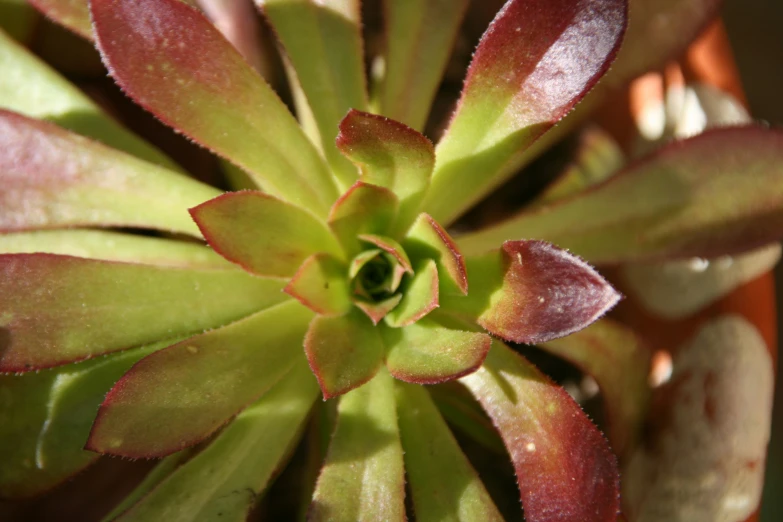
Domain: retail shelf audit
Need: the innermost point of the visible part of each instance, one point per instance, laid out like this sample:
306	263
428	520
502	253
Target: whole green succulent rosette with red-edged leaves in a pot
336	276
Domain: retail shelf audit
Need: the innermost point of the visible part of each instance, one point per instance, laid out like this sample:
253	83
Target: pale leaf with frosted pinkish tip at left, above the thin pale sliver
52	178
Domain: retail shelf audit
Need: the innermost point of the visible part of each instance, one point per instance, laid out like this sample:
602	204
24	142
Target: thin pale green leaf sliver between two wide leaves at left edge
112	246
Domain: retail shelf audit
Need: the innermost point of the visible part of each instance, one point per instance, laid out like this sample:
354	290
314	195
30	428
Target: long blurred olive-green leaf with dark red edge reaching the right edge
718	193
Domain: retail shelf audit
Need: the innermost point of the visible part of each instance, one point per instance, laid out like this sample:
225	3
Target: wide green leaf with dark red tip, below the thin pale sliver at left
59	309
